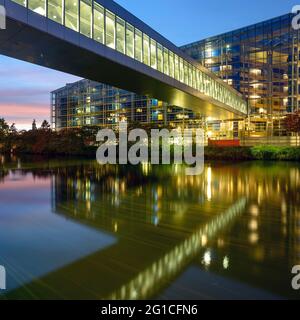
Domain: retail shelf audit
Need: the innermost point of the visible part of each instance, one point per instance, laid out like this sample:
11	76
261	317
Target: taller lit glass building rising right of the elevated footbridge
262	62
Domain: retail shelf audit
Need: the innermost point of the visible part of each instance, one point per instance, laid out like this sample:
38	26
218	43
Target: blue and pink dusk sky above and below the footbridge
25	88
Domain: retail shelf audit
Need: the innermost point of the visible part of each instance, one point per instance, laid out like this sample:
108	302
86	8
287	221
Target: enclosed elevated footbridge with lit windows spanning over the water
101	41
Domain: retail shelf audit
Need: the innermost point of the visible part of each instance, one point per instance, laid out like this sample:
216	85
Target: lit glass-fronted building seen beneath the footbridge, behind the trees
86	103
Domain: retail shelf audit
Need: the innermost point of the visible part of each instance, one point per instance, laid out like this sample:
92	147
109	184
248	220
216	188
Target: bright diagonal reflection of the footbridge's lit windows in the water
173	262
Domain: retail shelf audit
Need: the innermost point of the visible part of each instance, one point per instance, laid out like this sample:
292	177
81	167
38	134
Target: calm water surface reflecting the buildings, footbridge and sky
75	229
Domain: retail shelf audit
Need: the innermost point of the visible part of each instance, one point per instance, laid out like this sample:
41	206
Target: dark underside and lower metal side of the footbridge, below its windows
56	47
